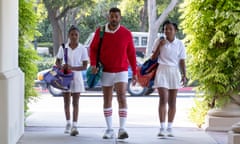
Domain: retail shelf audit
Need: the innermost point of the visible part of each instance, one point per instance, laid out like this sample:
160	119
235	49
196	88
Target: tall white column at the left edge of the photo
11	77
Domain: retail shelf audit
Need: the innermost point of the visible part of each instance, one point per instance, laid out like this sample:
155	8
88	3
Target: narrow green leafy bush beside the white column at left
27	55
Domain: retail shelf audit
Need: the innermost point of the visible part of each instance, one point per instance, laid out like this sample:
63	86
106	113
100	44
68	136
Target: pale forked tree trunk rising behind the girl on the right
155	22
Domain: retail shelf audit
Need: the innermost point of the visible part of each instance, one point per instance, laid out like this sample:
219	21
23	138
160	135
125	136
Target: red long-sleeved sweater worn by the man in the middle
117	51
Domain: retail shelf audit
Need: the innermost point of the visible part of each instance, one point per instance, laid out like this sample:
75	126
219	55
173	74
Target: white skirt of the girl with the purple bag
77	84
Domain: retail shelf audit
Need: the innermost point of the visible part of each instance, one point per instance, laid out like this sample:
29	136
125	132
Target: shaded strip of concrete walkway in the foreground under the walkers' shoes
138	135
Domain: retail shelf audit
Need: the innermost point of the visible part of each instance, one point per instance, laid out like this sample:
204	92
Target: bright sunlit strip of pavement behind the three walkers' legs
142	111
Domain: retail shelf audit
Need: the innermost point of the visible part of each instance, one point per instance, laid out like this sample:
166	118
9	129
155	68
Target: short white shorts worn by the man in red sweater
109	79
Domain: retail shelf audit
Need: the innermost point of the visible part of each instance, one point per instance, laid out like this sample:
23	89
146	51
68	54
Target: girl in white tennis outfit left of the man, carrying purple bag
77	60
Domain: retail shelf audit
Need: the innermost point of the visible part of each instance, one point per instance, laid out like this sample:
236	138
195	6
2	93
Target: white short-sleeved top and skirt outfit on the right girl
168	74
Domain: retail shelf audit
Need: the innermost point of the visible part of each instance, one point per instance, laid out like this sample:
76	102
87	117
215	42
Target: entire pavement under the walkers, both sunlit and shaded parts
47	122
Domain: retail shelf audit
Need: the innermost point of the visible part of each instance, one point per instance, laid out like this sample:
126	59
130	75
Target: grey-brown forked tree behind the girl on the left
57	12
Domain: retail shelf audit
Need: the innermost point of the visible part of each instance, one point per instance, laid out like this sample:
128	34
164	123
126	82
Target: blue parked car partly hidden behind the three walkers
136	90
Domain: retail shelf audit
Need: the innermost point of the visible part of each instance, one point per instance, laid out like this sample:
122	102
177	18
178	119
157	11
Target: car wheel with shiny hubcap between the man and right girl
136	90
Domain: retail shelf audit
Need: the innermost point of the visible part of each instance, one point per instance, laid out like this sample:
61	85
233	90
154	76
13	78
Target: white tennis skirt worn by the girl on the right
167	77
